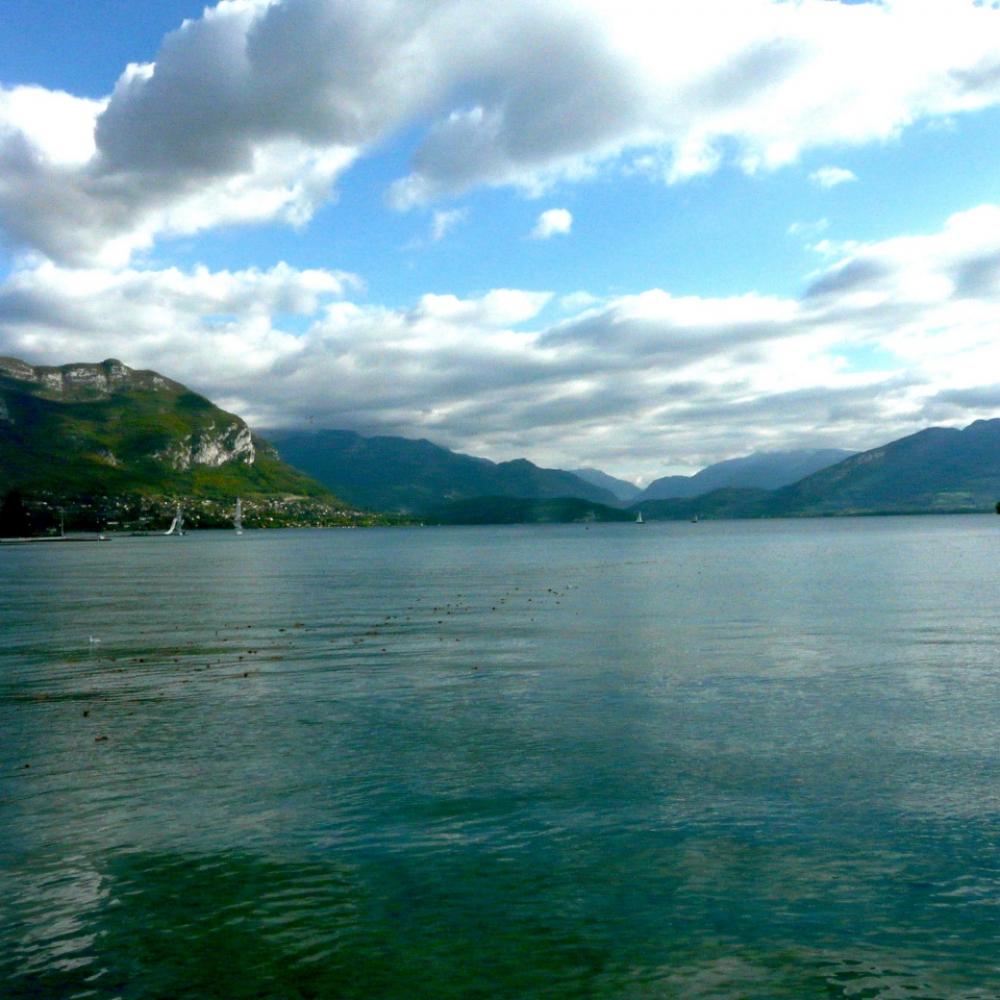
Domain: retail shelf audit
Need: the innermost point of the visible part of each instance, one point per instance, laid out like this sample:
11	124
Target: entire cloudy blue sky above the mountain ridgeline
639	235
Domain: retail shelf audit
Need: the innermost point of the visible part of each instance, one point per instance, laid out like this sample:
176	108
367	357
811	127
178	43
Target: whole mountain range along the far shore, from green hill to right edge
107	429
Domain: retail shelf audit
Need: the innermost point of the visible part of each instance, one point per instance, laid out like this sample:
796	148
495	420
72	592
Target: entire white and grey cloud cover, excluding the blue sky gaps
254	112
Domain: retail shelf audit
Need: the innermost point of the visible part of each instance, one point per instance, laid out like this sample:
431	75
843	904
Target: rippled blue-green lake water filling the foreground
733	760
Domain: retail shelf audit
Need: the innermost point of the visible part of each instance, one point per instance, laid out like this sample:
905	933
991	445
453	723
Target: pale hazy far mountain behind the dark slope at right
762	471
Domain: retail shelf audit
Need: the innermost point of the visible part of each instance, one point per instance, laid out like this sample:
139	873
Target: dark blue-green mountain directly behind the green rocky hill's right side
399	474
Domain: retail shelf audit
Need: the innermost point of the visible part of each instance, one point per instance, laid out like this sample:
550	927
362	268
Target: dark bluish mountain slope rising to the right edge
938	469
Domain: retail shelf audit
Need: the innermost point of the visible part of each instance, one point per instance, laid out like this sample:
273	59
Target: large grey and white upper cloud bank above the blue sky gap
253	111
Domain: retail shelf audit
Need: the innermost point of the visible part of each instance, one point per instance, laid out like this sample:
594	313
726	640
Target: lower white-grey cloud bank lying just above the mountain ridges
638	384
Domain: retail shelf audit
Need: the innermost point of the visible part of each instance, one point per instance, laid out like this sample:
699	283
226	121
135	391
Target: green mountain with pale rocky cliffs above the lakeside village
107	428
